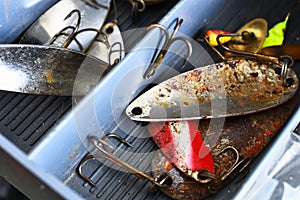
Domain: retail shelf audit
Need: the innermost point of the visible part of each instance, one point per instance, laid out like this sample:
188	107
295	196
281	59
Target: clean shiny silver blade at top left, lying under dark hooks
93	15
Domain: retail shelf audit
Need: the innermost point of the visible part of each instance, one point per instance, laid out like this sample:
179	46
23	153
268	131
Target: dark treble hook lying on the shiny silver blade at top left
73	29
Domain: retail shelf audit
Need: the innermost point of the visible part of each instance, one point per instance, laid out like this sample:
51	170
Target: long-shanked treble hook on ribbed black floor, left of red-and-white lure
101	145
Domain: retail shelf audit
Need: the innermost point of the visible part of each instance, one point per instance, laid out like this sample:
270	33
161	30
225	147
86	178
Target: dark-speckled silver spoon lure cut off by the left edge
48	70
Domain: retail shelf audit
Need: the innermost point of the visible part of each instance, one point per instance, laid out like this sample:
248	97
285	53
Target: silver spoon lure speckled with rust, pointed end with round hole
229	88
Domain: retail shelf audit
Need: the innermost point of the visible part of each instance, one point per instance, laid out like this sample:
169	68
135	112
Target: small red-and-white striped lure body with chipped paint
183	145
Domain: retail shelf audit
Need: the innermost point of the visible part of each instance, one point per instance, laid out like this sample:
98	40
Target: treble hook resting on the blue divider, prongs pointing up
169	40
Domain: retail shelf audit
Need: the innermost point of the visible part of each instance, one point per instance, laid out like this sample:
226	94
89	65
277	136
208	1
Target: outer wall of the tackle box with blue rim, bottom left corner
28	177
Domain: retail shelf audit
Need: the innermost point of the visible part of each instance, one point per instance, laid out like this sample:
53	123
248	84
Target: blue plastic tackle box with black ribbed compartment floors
43	138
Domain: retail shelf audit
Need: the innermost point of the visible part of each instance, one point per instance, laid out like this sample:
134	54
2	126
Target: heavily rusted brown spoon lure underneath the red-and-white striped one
249	134
